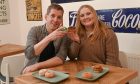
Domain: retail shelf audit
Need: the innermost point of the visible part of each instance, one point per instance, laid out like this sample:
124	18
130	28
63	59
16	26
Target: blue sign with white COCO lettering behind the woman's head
124	20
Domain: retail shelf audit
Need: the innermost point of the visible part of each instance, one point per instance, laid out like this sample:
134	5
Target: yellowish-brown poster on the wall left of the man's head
33	10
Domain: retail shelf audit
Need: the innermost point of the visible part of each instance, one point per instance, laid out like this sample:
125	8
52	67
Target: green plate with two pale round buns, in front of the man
59	76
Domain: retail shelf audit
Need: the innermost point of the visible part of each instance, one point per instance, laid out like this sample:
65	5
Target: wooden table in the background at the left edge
10	49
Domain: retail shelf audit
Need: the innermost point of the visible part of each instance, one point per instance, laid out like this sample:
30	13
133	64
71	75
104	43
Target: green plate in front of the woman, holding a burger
96	75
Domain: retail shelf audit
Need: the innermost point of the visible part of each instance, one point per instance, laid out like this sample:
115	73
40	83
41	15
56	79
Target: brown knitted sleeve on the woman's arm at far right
112	49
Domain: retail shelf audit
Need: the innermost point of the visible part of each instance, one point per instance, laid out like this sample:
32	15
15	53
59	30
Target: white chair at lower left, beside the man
11	66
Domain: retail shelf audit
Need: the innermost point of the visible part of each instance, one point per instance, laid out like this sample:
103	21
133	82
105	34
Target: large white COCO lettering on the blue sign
121	20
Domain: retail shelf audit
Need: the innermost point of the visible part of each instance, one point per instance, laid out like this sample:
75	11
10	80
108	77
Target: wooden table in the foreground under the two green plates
116	75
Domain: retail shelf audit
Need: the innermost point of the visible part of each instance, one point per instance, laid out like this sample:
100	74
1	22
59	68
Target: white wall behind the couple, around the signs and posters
128	42
